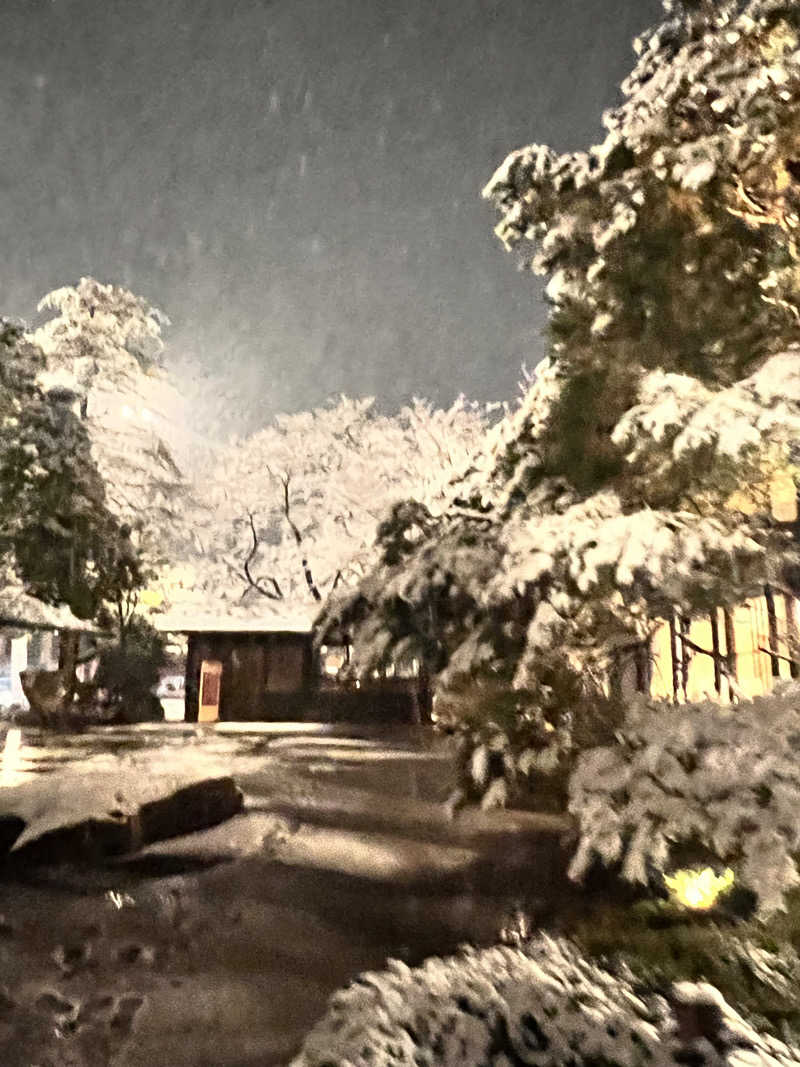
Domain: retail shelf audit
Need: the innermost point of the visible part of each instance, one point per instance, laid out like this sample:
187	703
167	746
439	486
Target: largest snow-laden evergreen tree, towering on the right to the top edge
606	501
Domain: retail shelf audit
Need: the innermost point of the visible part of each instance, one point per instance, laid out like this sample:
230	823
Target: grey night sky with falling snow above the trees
297	183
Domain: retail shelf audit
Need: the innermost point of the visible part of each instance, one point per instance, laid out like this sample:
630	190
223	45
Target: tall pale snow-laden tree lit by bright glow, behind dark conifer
102	369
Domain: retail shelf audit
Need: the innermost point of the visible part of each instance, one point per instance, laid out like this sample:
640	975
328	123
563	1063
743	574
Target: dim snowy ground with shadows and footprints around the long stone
221	948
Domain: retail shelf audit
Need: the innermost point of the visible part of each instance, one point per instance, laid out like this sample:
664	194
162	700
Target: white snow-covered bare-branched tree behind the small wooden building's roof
291	513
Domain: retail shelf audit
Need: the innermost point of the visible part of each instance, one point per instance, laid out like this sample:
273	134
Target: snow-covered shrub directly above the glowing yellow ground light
727	779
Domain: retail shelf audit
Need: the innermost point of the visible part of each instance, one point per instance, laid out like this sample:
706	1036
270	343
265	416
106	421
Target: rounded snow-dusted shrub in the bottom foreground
545	1005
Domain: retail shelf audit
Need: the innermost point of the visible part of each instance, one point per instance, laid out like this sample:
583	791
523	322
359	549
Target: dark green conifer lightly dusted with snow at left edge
60	543
